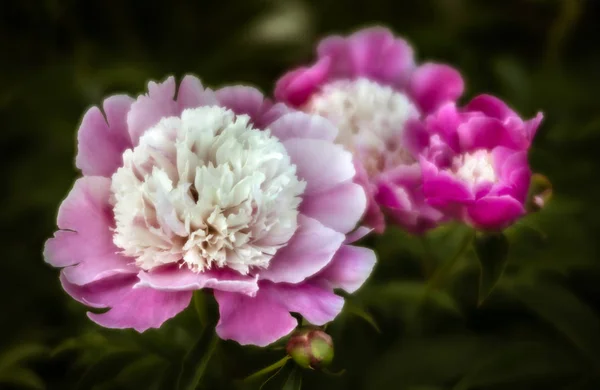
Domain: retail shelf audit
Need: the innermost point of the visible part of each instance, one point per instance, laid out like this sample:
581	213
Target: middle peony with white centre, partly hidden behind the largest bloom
369	86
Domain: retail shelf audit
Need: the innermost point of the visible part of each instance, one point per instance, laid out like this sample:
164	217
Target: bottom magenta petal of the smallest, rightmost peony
495	212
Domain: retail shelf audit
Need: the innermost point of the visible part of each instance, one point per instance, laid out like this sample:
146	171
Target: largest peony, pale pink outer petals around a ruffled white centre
205	189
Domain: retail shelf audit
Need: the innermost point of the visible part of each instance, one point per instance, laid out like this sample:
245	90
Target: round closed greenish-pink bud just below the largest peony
310	348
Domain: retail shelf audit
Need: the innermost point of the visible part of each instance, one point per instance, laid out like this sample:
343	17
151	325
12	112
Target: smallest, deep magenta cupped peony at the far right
476	167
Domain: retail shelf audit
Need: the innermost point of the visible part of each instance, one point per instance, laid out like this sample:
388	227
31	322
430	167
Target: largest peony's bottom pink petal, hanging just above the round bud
259	320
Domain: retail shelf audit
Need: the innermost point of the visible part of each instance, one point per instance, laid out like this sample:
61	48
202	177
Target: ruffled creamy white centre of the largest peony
206	190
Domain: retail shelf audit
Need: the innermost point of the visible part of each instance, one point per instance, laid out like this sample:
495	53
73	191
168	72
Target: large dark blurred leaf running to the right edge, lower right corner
565	311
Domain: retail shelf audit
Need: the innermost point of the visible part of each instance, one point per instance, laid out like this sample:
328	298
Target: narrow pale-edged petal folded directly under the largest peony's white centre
175	278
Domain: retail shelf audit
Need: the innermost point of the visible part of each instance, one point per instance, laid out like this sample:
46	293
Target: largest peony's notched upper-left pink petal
102	138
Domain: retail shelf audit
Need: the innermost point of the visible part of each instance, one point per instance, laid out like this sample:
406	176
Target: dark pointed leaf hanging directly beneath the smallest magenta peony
492	251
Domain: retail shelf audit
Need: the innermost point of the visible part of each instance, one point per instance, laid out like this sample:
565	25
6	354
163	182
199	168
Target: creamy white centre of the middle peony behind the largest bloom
371	118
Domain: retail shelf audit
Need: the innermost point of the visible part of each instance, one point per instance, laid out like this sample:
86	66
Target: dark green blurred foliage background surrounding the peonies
417	324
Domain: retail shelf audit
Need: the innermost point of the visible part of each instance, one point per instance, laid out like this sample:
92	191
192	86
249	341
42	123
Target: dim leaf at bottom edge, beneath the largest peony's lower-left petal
106	368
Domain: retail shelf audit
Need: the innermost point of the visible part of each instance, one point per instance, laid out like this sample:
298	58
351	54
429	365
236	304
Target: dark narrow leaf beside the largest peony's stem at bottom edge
196	361
